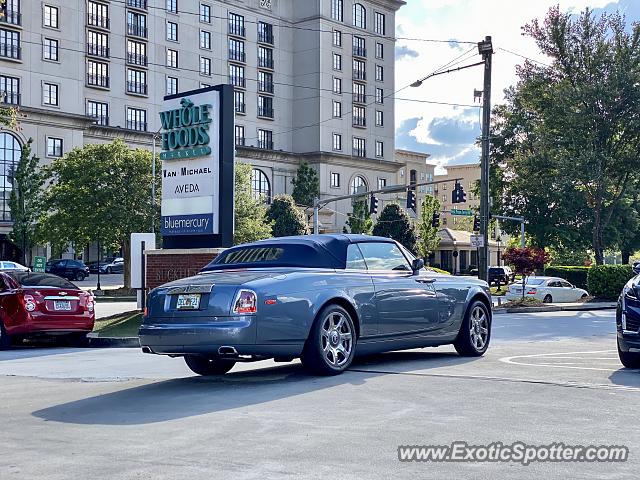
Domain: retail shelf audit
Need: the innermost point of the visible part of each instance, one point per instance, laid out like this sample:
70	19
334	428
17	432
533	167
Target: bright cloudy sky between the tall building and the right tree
448	132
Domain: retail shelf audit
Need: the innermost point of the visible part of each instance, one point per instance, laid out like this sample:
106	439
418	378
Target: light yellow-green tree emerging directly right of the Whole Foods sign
250	213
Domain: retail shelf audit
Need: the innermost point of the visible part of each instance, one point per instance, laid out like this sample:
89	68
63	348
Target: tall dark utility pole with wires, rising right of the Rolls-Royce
485	48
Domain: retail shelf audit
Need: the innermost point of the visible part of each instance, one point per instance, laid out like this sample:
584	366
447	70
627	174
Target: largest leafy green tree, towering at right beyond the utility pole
565	143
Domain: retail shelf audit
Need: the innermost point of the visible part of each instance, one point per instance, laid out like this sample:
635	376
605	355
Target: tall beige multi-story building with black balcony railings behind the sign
314	81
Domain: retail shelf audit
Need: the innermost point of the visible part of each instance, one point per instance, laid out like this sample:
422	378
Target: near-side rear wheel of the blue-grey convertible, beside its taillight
332	342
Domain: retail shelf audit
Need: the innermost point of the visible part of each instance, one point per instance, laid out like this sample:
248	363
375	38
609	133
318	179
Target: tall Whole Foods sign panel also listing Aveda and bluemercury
197	168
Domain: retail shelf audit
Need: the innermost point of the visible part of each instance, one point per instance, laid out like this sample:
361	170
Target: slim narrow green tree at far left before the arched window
25	200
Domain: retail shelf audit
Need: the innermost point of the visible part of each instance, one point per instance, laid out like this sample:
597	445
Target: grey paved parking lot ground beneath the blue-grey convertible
119	414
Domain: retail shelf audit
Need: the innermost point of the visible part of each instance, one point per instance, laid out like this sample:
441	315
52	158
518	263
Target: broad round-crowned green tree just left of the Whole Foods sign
100	193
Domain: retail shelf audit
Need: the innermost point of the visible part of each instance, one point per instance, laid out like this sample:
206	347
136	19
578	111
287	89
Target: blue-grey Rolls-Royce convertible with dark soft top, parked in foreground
323	298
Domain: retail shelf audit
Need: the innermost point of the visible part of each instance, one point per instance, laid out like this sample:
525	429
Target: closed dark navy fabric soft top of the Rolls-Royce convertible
305	251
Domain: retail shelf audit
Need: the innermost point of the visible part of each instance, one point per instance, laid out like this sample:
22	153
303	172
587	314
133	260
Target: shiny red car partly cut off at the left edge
43	304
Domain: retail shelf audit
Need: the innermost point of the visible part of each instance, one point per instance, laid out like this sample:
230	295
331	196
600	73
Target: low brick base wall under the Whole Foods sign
163	266
